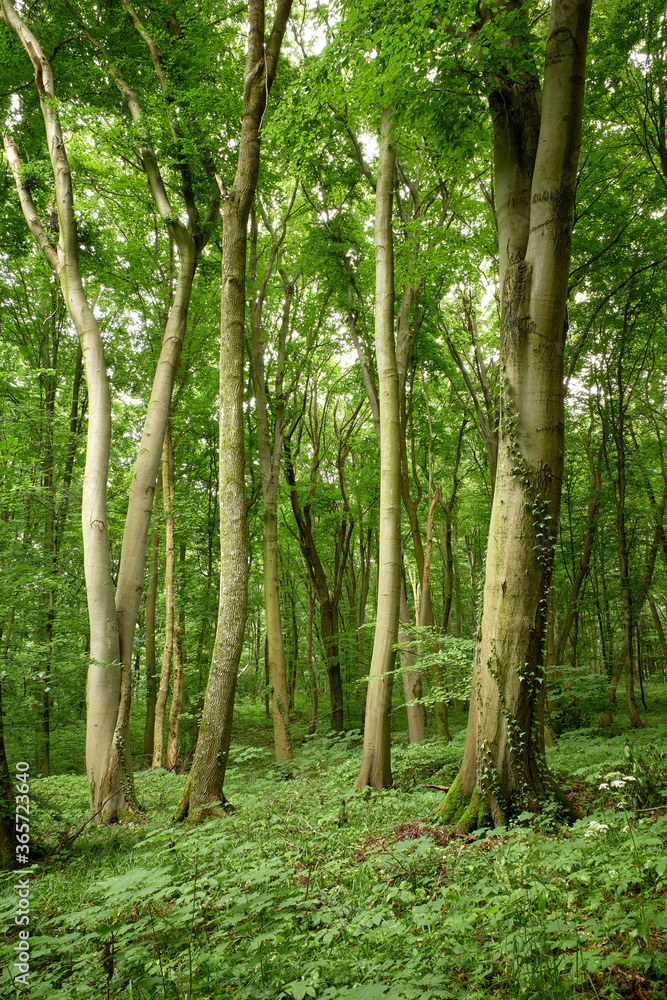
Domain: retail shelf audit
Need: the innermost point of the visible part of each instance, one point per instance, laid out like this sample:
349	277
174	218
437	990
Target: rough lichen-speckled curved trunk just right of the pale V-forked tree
204	786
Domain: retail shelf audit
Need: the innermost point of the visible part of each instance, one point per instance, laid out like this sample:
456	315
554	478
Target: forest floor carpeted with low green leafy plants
311	889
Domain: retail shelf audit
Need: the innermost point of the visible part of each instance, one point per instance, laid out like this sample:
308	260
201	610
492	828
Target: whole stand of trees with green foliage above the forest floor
342	326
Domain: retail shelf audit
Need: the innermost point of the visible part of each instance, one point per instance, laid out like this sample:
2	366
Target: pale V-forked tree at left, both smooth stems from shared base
112	616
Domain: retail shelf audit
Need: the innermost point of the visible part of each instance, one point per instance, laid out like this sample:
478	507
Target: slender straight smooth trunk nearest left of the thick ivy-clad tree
376	756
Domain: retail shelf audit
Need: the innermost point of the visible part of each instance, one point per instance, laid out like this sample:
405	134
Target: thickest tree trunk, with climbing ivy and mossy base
503	771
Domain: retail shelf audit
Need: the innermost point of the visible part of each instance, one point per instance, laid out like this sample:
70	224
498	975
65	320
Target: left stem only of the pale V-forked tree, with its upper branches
103	685
